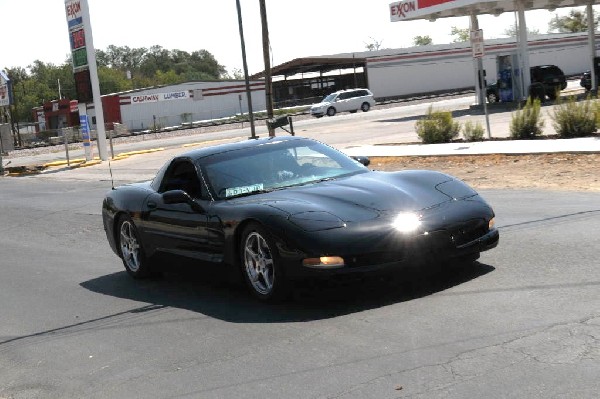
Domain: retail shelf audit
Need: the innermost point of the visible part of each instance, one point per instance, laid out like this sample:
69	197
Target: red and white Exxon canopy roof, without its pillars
433	9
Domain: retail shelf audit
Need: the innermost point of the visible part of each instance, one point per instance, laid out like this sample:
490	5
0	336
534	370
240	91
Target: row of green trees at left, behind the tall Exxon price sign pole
41	82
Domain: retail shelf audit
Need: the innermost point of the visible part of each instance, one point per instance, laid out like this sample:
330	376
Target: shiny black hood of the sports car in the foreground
367	196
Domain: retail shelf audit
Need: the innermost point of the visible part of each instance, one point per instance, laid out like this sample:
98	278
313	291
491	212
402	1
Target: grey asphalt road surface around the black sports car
524	321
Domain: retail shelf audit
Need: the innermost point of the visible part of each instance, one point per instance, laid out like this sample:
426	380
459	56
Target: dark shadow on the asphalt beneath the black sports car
218	297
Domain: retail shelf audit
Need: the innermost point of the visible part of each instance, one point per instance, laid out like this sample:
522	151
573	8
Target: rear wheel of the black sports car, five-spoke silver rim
134	259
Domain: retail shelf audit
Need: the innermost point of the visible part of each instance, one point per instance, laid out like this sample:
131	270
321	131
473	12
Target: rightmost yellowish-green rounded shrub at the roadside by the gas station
574	119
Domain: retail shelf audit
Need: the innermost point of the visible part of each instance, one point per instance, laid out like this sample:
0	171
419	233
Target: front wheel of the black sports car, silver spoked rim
261	265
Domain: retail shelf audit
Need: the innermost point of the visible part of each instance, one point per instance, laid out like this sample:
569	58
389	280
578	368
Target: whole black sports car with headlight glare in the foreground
283	208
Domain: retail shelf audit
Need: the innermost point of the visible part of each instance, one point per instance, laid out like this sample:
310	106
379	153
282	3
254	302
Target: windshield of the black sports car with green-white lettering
273	166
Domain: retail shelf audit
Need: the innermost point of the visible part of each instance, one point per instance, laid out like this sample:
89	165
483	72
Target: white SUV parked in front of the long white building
344	100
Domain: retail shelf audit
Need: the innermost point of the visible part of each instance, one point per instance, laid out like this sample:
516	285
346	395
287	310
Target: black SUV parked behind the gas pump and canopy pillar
546	81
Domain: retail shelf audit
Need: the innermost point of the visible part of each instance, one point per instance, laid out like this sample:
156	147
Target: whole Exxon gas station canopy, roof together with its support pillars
433	9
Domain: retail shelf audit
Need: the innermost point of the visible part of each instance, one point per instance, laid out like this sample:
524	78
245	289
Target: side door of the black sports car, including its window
180	227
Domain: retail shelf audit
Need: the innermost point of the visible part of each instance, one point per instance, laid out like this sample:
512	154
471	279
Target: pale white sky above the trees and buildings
37	29
